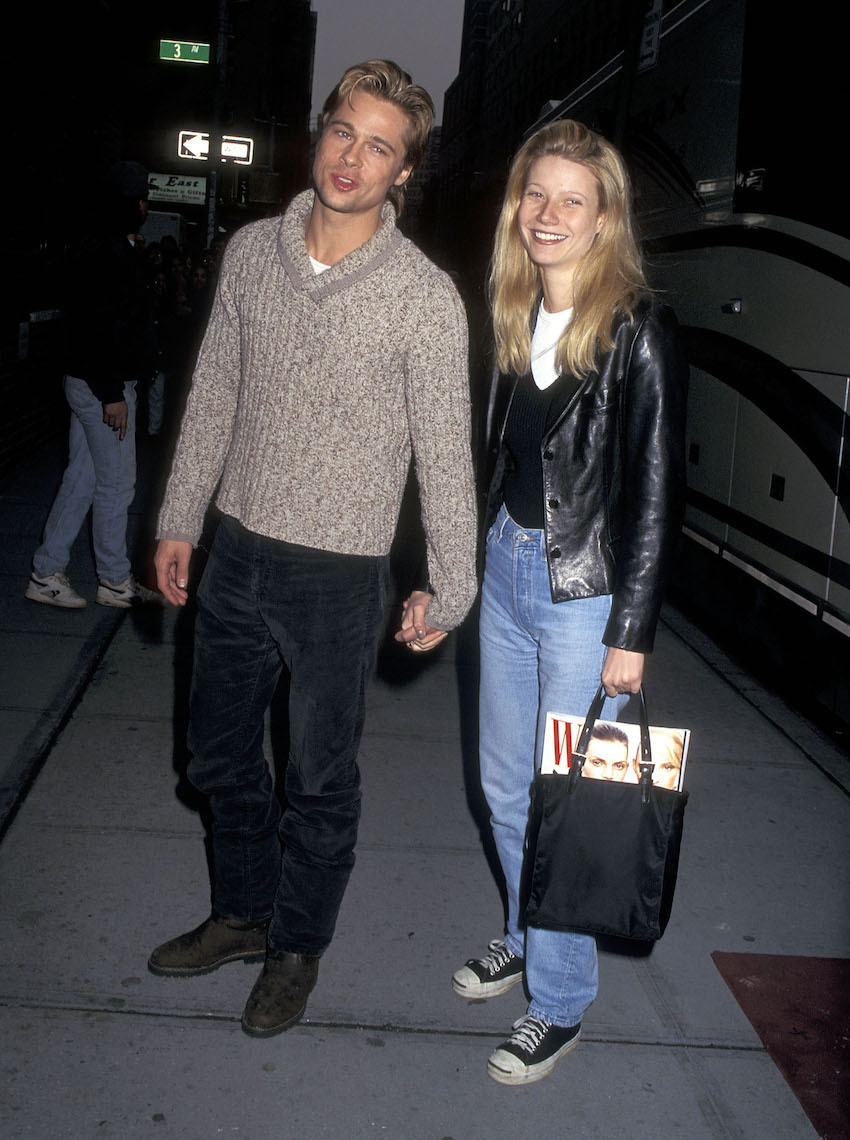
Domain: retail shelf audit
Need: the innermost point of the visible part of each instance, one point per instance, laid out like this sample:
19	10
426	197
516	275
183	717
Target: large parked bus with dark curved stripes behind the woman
730	121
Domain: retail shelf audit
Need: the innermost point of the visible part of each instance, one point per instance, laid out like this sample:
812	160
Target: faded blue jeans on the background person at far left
101	475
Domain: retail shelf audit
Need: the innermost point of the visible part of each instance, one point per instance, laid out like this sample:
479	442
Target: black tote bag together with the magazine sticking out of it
604	853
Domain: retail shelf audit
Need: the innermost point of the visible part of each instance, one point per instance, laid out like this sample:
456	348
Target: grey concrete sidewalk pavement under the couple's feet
105	859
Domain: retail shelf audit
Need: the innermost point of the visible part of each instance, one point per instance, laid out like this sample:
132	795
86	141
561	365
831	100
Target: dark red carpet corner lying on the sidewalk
800	1008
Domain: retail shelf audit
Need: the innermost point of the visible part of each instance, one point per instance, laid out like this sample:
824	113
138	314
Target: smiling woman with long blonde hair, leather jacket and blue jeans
583	514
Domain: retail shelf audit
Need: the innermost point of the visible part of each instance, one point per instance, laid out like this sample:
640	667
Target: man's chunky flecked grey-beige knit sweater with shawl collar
310	392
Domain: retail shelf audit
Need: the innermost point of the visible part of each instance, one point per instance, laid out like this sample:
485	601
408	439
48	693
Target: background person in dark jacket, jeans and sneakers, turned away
110	347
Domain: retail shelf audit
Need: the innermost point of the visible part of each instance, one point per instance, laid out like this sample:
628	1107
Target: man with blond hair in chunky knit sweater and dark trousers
336	351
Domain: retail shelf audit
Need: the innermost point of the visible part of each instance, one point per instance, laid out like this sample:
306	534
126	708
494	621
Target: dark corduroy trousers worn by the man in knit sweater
263	605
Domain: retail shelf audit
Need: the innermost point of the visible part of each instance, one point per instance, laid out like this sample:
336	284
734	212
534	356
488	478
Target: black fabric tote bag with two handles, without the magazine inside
603	858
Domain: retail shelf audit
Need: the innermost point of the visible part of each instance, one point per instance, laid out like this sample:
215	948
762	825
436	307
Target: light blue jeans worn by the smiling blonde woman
536	657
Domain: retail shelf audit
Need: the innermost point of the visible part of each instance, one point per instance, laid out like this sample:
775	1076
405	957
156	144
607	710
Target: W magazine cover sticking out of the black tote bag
614	752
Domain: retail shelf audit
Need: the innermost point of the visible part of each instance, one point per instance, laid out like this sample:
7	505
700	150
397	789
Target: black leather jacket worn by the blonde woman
614	474
